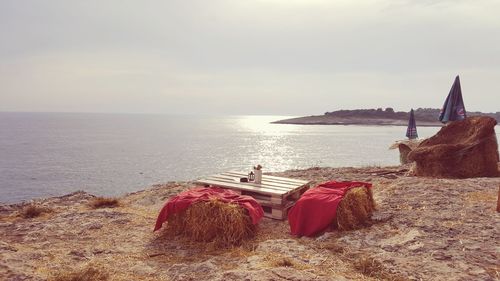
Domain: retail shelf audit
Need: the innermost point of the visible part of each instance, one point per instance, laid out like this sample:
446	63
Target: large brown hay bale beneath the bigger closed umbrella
461	149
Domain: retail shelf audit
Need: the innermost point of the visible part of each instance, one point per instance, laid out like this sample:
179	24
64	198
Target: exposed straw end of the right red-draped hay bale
355	209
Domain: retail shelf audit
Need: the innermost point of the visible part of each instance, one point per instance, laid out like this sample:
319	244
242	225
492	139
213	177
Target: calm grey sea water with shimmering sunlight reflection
47	154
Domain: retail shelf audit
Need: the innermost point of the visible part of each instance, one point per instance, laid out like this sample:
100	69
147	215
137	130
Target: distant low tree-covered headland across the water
423	116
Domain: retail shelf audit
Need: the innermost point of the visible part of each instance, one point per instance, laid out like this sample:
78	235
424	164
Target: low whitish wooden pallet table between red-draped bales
275	194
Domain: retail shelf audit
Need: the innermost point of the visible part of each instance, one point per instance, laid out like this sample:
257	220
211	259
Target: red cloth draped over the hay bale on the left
183	200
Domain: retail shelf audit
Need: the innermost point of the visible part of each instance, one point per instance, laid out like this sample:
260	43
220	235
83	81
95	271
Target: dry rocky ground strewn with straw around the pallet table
424	229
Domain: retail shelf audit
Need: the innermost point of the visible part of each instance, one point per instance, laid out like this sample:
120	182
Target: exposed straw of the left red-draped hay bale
222	224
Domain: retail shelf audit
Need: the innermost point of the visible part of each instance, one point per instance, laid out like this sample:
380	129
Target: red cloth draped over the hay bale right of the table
316	209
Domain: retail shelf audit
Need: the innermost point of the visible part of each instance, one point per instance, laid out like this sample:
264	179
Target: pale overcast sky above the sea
277	57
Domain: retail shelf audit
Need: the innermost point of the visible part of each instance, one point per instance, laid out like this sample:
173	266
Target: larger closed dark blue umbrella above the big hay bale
453	108
